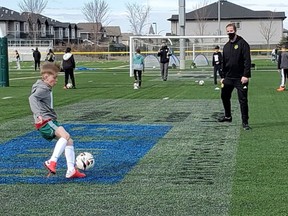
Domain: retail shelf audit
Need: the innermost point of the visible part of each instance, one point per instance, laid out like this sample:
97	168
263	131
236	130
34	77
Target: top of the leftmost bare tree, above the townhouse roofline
33	6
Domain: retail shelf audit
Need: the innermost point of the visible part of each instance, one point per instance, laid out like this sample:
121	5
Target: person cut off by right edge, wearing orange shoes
283	67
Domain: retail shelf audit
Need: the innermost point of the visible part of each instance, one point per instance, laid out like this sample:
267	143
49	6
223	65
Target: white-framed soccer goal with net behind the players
185	49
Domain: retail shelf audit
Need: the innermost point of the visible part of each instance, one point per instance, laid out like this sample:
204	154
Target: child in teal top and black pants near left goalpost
138	68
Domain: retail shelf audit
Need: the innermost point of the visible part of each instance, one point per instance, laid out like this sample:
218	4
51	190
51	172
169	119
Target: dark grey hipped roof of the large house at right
229	11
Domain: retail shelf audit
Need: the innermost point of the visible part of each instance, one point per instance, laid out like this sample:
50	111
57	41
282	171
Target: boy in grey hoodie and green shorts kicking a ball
41	104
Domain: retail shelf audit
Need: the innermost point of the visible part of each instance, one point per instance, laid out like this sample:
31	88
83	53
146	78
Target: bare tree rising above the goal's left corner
137	16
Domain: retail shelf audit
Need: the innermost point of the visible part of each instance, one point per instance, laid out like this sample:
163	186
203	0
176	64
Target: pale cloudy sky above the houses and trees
71	10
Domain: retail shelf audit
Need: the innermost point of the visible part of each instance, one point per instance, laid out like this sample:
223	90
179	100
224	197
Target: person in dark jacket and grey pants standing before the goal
164	54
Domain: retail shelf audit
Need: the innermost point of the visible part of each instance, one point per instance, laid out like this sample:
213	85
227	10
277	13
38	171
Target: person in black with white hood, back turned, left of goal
68	65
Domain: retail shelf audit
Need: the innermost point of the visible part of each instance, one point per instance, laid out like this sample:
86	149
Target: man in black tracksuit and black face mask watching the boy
236	71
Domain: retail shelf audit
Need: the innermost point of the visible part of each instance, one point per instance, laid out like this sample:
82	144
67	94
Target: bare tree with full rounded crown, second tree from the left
96	12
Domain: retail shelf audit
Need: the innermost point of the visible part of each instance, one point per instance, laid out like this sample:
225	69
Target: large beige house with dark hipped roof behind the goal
257	27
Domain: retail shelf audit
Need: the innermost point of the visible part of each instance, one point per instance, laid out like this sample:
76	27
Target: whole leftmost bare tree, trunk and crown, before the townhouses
31	8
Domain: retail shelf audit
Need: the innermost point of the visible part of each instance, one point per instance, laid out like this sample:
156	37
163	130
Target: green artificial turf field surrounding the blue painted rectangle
200	167
